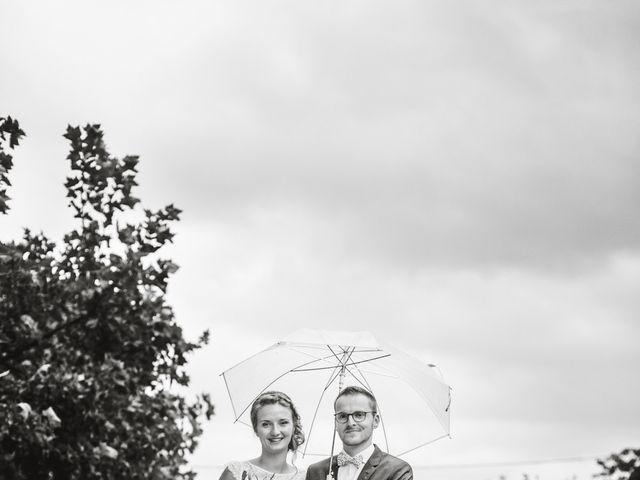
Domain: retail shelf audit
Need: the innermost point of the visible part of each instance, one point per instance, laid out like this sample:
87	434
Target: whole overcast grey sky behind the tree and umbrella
460	178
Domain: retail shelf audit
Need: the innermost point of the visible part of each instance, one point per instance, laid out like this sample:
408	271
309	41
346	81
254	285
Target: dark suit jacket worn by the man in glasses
380	466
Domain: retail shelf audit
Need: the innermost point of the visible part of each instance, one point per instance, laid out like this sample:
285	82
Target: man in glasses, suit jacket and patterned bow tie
356	417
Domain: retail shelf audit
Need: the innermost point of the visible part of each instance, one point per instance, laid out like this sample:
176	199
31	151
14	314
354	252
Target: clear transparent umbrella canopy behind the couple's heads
312	366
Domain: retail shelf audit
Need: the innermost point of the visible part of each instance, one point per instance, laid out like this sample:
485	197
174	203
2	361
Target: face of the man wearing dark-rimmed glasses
356	436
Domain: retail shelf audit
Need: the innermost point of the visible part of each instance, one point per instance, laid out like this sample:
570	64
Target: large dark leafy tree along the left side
91	357
